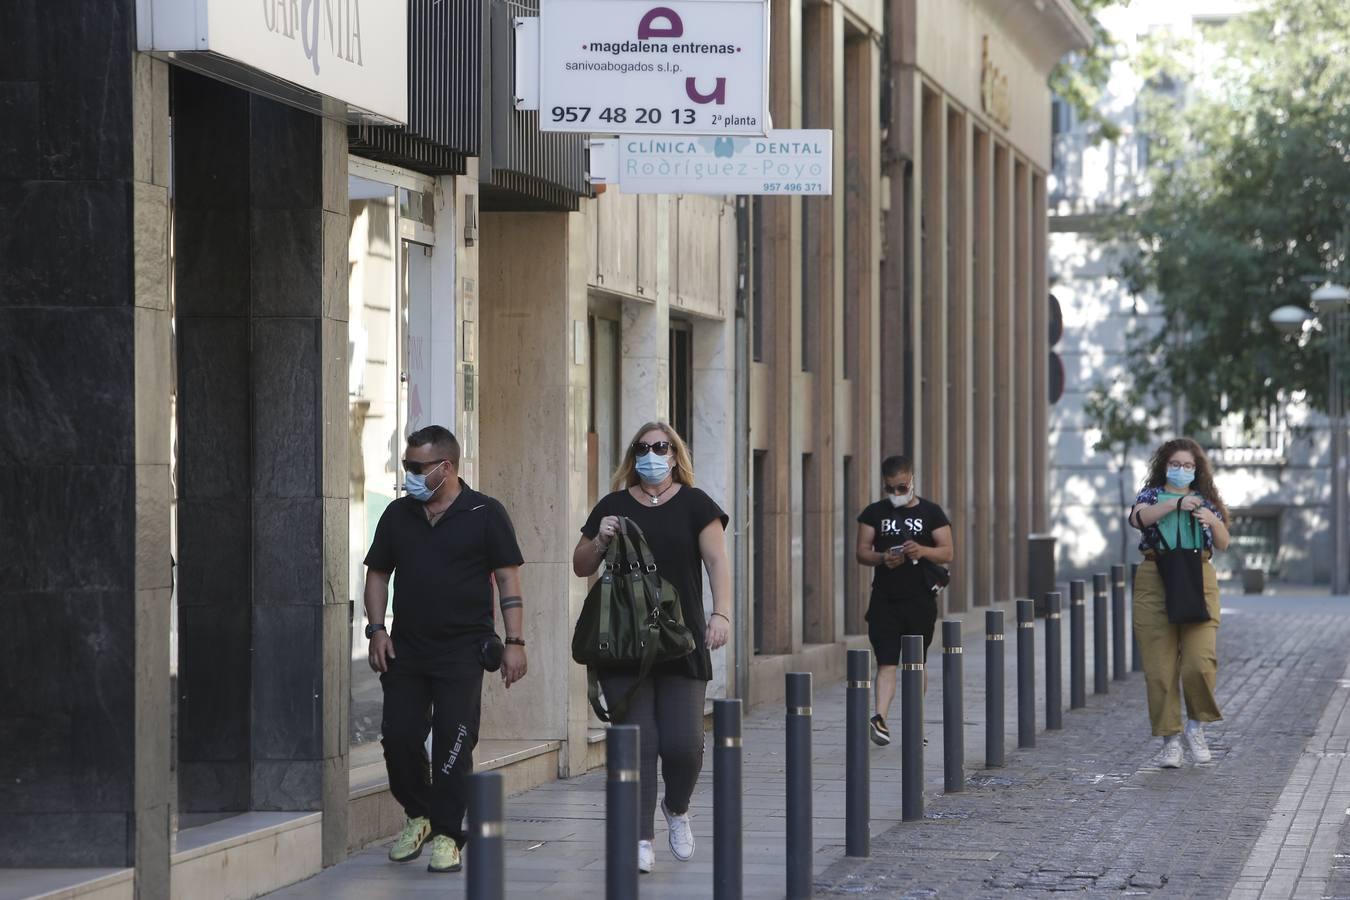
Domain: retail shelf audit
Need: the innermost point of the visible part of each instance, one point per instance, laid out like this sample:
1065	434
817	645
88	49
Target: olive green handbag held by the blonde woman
632	620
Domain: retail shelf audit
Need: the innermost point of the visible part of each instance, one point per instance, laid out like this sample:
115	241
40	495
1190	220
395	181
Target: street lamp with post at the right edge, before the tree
1330	303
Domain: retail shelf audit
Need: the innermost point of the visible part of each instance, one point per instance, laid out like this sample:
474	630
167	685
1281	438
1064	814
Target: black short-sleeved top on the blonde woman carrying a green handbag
673	532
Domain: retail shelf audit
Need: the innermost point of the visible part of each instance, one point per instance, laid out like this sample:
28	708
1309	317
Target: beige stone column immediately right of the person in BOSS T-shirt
959	356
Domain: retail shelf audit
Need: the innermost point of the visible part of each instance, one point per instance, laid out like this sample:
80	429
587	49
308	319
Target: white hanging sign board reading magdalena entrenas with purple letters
631	67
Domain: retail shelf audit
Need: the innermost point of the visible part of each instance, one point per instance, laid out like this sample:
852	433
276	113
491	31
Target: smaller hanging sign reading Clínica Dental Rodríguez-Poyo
785	163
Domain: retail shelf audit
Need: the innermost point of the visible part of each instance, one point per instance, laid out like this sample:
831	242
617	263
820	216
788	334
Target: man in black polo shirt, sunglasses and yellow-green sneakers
448	544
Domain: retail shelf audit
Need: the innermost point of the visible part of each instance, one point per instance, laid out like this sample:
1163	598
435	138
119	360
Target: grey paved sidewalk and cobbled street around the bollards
1083	812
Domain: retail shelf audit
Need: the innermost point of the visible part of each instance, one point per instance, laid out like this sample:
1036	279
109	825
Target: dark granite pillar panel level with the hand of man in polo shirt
288	681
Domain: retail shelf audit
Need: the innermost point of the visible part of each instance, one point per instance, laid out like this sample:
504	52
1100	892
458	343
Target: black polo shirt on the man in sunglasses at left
442	573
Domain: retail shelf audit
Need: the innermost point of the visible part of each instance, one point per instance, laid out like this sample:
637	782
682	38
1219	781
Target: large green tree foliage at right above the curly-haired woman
1249	171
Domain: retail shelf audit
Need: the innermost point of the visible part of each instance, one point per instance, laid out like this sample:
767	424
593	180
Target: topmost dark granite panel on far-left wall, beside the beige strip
87	59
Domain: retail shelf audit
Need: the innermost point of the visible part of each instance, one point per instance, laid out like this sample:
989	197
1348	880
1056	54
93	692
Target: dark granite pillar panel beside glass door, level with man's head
286	410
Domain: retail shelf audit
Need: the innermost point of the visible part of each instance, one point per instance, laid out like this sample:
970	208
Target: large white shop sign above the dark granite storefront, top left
344	59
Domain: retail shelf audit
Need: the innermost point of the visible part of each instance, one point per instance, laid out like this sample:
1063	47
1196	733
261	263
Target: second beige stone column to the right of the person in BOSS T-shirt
983	432
